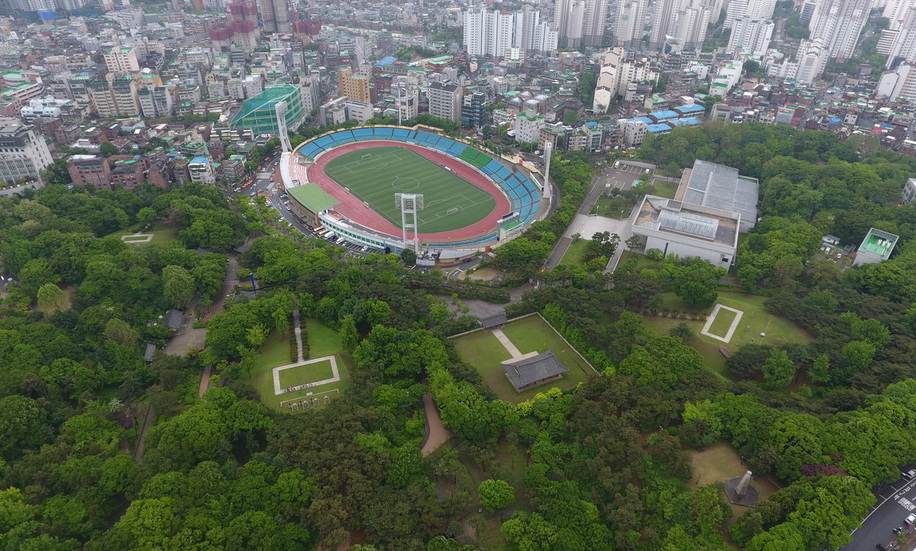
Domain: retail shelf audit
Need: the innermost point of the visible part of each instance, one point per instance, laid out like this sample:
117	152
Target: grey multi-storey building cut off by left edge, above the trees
23	153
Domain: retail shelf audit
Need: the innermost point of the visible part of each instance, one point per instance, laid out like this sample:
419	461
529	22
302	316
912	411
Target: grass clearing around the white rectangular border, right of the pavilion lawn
754	322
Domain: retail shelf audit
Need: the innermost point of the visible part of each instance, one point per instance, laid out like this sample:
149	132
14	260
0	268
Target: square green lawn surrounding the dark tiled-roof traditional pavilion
484	352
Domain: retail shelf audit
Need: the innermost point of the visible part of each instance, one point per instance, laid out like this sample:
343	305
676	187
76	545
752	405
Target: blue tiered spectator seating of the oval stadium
521	190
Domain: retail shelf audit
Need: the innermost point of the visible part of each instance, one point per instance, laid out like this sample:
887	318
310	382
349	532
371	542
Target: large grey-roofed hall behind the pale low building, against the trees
720	187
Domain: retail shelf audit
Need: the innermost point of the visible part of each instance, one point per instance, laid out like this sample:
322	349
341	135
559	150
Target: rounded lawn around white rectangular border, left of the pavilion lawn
276	351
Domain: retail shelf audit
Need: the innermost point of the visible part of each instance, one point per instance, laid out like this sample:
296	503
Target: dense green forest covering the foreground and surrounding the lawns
605	465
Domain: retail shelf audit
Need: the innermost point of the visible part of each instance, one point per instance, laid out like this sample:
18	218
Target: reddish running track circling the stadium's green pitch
353	208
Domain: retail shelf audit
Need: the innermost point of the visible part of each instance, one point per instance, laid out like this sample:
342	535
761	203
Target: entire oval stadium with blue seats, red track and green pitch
390	188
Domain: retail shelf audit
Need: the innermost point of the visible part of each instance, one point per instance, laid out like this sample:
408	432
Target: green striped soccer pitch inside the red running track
376	174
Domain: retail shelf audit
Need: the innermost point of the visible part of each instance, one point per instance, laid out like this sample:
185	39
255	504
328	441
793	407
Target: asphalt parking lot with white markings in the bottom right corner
895	502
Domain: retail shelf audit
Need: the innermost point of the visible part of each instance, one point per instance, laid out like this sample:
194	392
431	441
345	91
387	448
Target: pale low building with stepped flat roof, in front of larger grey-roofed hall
688	231
